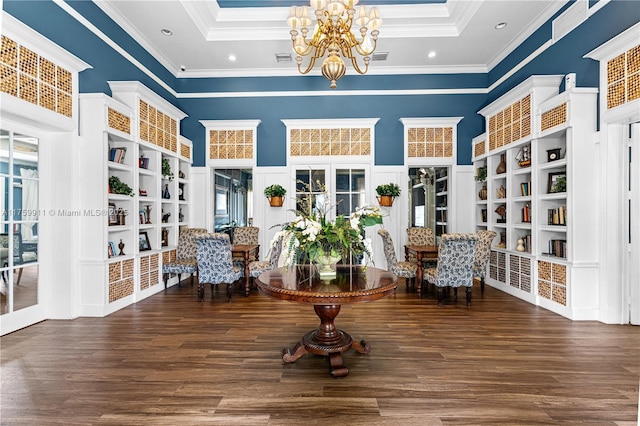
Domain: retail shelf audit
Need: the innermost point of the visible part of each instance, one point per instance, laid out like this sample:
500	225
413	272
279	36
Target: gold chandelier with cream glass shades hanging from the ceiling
332	34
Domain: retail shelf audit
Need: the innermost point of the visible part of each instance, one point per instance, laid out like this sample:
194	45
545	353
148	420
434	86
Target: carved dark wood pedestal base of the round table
328	341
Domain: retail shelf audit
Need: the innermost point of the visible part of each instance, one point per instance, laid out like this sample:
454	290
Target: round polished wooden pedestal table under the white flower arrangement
352	284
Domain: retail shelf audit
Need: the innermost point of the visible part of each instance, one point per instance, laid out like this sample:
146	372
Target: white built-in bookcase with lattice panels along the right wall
539	152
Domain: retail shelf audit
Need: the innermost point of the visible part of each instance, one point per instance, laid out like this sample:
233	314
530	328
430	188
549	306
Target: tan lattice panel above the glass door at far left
35	79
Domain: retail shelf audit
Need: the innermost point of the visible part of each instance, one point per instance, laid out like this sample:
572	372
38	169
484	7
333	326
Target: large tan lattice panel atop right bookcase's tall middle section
511	124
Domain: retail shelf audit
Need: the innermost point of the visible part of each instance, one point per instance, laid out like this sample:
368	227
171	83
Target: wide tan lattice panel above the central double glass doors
330	142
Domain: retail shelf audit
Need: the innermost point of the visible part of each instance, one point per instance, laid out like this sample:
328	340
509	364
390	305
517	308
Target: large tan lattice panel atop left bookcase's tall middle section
157	127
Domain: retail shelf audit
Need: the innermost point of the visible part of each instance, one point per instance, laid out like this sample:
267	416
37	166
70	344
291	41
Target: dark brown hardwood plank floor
172	360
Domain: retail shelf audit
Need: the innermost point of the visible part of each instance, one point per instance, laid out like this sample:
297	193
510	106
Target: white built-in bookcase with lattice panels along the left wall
127	136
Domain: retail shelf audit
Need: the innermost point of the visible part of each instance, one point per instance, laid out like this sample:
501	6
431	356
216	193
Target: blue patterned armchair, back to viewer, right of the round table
456	257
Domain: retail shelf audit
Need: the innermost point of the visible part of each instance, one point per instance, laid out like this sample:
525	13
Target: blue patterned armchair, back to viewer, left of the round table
215	265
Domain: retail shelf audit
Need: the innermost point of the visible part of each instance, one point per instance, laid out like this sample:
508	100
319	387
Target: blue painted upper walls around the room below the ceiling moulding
563	57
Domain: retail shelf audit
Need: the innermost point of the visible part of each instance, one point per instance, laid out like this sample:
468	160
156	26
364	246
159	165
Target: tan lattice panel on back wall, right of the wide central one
430	142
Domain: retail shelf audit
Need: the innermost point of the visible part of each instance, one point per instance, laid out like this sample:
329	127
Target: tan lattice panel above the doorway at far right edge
623	78
